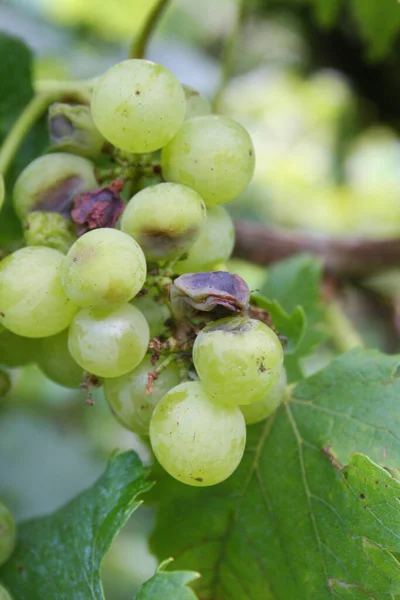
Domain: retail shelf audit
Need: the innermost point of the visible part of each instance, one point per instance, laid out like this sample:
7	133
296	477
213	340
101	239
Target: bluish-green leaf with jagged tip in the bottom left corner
59	556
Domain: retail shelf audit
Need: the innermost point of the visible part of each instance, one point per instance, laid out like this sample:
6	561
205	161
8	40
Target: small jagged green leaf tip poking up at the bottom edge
168	585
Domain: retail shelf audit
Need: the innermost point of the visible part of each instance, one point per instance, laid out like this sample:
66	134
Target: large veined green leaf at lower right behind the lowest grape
289	523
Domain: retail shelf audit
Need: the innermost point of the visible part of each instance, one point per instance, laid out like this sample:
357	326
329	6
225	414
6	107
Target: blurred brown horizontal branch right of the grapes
354	257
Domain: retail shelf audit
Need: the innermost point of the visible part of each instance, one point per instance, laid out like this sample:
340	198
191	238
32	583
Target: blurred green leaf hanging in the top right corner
379	23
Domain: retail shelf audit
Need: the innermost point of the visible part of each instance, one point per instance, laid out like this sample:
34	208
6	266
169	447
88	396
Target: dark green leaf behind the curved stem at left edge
16	92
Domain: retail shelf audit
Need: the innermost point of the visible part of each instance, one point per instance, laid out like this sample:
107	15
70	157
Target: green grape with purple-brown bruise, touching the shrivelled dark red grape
51	182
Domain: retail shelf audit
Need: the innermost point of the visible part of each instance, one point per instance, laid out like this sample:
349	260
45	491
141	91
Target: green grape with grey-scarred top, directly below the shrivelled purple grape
238	359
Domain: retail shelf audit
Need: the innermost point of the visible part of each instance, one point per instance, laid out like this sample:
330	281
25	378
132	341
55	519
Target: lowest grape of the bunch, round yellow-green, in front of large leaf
196	440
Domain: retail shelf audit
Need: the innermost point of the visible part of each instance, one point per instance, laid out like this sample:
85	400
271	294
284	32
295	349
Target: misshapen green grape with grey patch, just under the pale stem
72	129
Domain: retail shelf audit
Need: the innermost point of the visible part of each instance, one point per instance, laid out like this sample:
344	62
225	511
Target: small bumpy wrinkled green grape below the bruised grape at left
48	229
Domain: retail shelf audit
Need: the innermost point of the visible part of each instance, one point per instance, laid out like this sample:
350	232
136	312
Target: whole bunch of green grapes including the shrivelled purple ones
122	279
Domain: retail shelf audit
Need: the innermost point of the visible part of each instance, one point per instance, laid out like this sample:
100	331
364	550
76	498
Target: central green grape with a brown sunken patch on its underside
165	219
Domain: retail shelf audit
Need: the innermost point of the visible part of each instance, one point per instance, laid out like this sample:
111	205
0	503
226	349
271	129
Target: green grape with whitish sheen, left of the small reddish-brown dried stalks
109	343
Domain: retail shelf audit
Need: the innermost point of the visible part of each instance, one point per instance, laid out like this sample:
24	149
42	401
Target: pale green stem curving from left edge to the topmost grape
47	92
